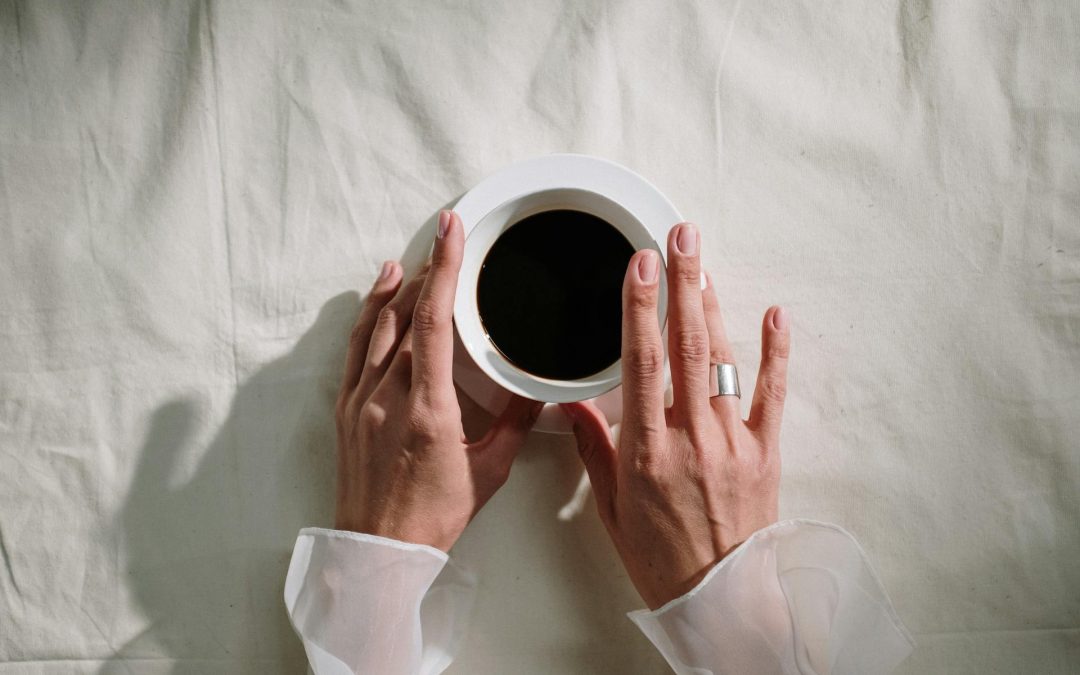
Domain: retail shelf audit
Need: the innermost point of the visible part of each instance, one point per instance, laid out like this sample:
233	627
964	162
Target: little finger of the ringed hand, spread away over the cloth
772	388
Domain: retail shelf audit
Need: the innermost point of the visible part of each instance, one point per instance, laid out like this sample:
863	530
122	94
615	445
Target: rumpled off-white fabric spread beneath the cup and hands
192	196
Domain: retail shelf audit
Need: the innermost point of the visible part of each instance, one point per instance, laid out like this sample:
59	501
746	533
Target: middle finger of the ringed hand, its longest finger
687	336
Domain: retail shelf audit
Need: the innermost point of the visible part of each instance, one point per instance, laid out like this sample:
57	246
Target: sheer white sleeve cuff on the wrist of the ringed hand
798	598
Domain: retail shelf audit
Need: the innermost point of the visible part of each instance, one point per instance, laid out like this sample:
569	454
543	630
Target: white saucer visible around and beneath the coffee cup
617	183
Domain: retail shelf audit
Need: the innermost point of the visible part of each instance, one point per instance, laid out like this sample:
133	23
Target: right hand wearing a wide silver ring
686	485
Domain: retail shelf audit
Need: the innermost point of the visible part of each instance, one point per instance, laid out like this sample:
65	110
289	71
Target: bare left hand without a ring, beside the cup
406	469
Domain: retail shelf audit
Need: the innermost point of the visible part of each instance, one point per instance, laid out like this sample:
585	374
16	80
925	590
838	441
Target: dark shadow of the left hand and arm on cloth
209	531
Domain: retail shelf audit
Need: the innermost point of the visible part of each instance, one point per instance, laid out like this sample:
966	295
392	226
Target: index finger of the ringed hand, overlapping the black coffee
643	353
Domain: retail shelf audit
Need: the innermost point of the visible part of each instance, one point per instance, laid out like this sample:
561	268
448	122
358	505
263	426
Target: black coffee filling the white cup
550	294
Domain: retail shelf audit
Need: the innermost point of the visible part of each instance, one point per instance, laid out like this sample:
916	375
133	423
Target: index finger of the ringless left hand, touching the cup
434	316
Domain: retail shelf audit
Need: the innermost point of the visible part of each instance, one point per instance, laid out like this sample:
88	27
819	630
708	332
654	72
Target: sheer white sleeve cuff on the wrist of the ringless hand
366	604
